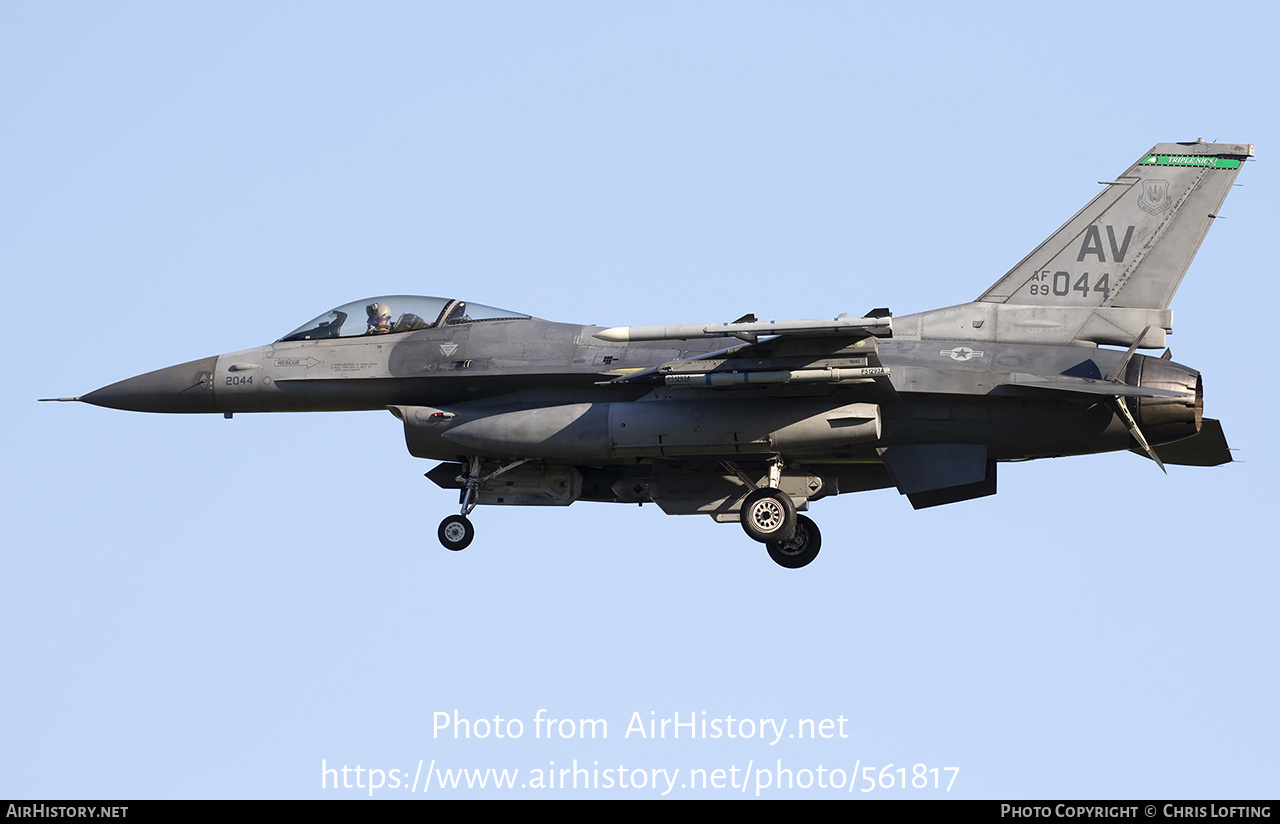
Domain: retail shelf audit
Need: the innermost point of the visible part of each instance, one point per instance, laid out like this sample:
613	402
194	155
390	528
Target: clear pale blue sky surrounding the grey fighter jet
193	611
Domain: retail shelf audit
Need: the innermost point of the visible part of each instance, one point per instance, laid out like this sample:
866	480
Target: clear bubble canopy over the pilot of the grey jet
395	314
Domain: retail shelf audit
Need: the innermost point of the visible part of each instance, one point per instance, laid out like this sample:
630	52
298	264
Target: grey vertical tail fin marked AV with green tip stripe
1132	245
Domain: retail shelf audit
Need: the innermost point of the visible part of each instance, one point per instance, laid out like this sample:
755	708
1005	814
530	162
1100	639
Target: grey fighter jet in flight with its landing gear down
751	422
